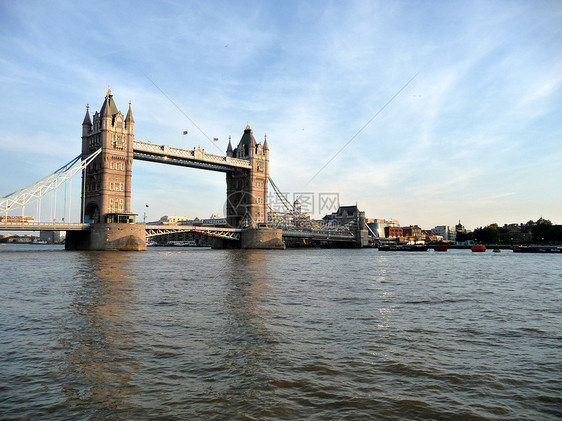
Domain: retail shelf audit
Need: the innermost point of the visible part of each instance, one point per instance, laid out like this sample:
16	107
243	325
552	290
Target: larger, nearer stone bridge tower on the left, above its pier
107	180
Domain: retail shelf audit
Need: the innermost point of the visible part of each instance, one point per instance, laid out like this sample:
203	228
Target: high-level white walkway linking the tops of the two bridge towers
195	158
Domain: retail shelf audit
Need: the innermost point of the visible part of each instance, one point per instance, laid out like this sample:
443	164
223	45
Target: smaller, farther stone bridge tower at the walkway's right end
246	189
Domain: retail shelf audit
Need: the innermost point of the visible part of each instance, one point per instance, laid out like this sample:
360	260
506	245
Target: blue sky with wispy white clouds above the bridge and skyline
476	135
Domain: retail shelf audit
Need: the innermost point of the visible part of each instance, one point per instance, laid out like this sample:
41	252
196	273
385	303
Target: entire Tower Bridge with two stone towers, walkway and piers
106	219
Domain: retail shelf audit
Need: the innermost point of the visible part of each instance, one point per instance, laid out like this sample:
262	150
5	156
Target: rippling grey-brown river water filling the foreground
279	335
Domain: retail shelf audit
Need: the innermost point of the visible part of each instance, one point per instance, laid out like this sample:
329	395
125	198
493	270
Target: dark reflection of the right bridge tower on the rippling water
240	343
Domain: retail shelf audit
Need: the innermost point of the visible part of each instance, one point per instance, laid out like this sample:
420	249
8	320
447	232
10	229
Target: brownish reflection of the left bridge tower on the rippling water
98	367
